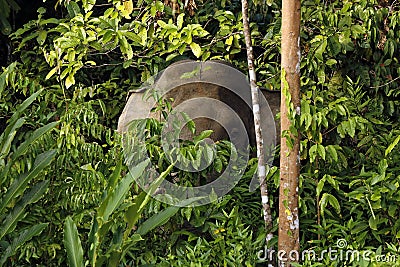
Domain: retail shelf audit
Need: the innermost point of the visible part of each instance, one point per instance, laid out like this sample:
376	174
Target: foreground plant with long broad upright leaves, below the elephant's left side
109	240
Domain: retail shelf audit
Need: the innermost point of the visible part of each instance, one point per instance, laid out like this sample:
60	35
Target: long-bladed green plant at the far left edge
17	196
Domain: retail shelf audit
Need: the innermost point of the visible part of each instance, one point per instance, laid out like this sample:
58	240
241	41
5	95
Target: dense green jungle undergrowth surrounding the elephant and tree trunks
82	64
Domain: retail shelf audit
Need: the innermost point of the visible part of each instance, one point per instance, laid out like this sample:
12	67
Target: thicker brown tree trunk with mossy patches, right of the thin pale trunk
288	240
